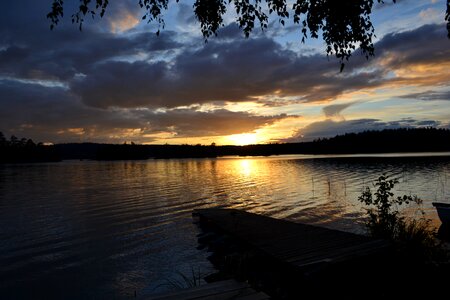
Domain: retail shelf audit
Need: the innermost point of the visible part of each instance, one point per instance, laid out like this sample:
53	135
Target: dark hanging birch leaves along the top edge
344	25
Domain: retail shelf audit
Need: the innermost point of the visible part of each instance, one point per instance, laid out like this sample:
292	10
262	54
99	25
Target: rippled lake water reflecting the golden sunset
108	230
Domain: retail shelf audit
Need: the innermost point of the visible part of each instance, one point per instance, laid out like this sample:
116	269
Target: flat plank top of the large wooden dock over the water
295	243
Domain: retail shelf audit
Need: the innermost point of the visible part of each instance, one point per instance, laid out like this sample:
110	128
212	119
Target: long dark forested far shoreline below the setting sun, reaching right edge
385	141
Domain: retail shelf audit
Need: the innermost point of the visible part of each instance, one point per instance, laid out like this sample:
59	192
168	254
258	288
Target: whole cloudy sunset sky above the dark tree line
116	81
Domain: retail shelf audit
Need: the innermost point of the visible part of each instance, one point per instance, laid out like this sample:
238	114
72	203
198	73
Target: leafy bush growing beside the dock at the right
414	238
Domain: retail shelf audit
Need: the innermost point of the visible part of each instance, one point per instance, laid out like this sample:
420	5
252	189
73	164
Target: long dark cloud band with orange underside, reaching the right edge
236	69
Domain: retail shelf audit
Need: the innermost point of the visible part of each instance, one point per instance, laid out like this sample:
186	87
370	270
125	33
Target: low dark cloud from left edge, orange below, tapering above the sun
50	113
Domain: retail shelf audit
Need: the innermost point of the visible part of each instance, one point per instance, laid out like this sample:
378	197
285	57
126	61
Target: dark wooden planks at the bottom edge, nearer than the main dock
228	289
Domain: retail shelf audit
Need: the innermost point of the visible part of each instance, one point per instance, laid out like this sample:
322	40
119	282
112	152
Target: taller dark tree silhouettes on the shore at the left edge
23	150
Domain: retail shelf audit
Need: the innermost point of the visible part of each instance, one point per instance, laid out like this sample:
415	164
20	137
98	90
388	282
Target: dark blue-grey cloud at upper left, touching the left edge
71	53
